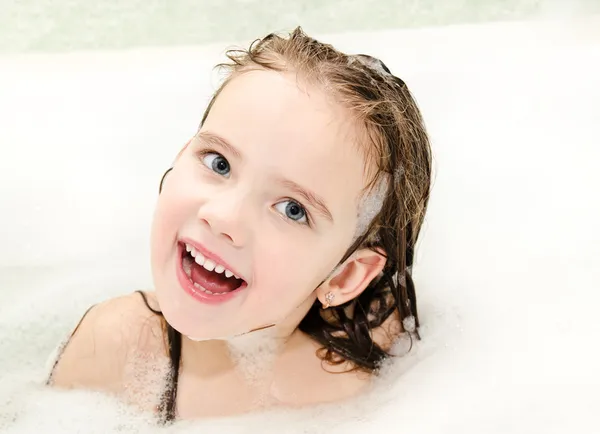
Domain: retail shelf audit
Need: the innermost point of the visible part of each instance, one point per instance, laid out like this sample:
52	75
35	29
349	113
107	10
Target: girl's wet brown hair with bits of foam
397	154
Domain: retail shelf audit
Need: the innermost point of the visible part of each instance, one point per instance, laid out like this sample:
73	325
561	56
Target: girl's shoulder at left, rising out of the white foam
107	337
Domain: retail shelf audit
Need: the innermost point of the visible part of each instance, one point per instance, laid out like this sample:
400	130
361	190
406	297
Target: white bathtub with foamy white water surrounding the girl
506	271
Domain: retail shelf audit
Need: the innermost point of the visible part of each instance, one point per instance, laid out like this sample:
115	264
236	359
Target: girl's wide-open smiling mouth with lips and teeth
203	278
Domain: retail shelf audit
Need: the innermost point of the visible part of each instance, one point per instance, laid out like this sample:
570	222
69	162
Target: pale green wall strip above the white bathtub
64	25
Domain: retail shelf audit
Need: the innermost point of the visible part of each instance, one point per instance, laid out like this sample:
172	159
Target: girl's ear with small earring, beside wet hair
352	277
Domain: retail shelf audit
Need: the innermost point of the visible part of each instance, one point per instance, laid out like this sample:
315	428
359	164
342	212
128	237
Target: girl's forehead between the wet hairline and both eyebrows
278	124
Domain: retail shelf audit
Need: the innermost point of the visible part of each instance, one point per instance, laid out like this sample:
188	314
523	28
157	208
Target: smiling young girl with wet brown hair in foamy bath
282	244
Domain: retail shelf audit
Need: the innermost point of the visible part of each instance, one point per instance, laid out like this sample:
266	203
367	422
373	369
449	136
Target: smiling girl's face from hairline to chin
268	190
